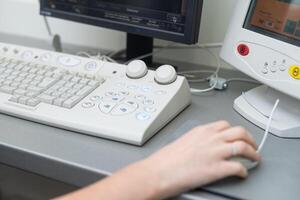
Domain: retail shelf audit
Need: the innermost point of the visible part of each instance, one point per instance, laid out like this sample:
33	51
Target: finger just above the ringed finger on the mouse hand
238	134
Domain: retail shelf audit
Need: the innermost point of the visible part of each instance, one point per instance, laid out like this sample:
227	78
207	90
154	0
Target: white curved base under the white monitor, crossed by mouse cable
256	105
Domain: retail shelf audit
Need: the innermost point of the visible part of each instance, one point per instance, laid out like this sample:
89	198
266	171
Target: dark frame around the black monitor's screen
190	36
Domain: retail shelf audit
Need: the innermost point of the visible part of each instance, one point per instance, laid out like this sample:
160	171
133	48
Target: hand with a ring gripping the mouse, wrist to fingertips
201	157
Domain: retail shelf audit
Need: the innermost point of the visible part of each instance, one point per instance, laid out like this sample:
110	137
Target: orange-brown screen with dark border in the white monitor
279	19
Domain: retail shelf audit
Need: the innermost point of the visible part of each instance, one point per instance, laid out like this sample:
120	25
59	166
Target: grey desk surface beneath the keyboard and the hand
80	159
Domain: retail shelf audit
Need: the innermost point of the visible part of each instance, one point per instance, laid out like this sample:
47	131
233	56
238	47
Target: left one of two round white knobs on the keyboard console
136	69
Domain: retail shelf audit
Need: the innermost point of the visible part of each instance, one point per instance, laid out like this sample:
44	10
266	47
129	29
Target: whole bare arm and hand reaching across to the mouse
198	158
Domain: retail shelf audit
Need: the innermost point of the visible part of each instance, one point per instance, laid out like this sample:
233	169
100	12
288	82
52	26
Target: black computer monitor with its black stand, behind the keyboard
143	20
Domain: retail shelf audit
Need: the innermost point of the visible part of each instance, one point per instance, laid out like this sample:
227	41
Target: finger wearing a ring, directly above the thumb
239	148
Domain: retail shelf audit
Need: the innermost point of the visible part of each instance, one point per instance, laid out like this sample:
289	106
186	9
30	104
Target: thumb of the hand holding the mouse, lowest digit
230	168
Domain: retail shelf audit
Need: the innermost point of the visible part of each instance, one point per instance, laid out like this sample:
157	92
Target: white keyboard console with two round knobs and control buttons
114	101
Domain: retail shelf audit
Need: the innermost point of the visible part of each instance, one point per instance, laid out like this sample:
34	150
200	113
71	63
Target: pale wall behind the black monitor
21	17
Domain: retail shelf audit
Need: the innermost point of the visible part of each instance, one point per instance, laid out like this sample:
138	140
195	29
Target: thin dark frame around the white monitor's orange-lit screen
247	25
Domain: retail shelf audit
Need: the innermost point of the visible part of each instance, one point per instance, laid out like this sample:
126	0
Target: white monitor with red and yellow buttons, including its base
263	41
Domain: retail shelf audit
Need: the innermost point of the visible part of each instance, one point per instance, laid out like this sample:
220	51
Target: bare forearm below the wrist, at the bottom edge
137	181
